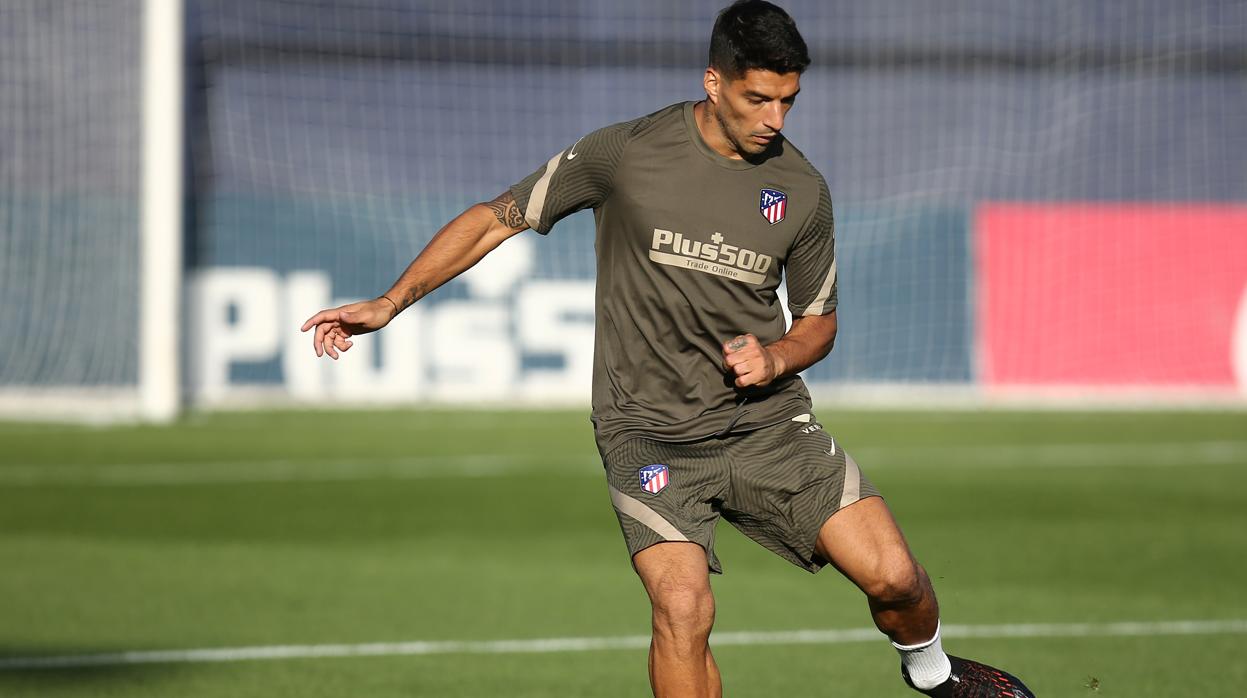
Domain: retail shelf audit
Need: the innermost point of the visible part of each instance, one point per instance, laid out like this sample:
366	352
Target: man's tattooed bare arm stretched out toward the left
460	245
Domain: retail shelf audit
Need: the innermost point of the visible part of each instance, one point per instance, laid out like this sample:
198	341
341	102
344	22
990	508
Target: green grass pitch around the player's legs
264	529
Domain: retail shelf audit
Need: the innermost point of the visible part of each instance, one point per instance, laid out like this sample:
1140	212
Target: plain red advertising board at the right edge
1132	296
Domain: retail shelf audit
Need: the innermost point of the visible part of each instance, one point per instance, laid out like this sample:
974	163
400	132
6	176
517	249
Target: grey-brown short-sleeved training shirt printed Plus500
691	247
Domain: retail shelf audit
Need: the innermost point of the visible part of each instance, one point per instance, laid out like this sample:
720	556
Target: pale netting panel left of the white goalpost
70	134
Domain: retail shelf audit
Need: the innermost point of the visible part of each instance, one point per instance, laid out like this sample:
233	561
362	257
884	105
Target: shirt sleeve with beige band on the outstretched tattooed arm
575	179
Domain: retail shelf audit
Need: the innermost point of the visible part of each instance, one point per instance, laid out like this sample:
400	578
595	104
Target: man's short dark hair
755	34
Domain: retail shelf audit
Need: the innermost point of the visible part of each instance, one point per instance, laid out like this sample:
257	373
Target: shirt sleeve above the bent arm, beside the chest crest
811	270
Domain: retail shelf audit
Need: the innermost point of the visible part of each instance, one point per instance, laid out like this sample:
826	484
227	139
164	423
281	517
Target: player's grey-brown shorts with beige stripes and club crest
778	485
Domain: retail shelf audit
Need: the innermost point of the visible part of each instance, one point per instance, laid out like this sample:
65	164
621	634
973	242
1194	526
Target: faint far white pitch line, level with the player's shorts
488	466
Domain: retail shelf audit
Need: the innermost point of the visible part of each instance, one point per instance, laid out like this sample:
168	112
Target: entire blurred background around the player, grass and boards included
1041	206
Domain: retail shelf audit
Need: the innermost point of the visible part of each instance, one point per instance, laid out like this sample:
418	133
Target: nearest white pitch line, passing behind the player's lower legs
544	646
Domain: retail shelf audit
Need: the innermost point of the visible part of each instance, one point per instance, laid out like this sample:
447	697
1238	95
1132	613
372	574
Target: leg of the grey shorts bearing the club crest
668	493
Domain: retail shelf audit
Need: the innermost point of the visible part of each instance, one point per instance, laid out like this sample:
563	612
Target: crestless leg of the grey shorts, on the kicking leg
787	482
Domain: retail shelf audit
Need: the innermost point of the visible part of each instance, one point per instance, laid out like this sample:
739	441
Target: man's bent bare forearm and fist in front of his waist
806	343
